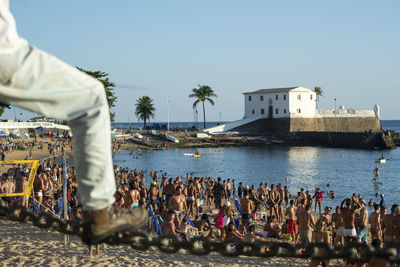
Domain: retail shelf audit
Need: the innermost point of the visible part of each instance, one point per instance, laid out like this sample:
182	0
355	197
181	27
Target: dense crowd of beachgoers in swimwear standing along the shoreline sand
217	208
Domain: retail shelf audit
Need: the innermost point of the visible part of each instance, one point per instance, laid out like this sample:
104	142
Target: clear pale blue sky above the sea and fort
165	48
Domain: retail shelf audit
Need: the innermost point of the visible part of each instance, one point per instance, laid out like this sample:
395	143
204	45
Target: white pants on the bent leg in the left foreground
34	80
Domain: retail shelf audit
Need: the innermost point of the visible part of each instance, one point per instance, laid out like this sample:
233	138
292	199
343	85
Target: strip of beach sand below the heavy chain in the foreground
26	245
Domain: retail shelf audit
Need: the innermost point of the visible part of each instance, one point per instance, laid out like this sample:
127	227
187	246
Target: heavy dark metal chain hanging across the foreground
353	252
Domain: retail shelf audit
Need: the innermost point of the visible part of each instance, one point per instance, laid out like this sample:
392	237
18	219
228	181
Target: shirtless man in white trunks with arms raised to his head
349	208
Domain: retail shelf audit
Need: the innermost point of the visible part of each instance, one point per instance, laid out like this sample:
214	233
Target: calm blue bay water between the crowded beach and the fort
347	171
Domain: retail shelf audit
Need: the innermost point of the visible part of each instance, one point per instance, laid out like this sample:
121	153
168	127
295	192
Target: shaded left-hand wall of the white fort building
256	104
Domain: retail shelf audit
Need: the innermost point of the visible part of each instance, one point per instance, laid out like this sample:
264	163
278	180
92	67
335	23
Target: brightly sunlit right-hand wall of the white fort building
307	103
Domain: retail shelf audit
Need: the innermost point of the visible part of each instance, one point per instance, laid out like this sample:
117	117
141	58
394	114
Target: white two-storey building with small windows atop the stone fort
291	102
